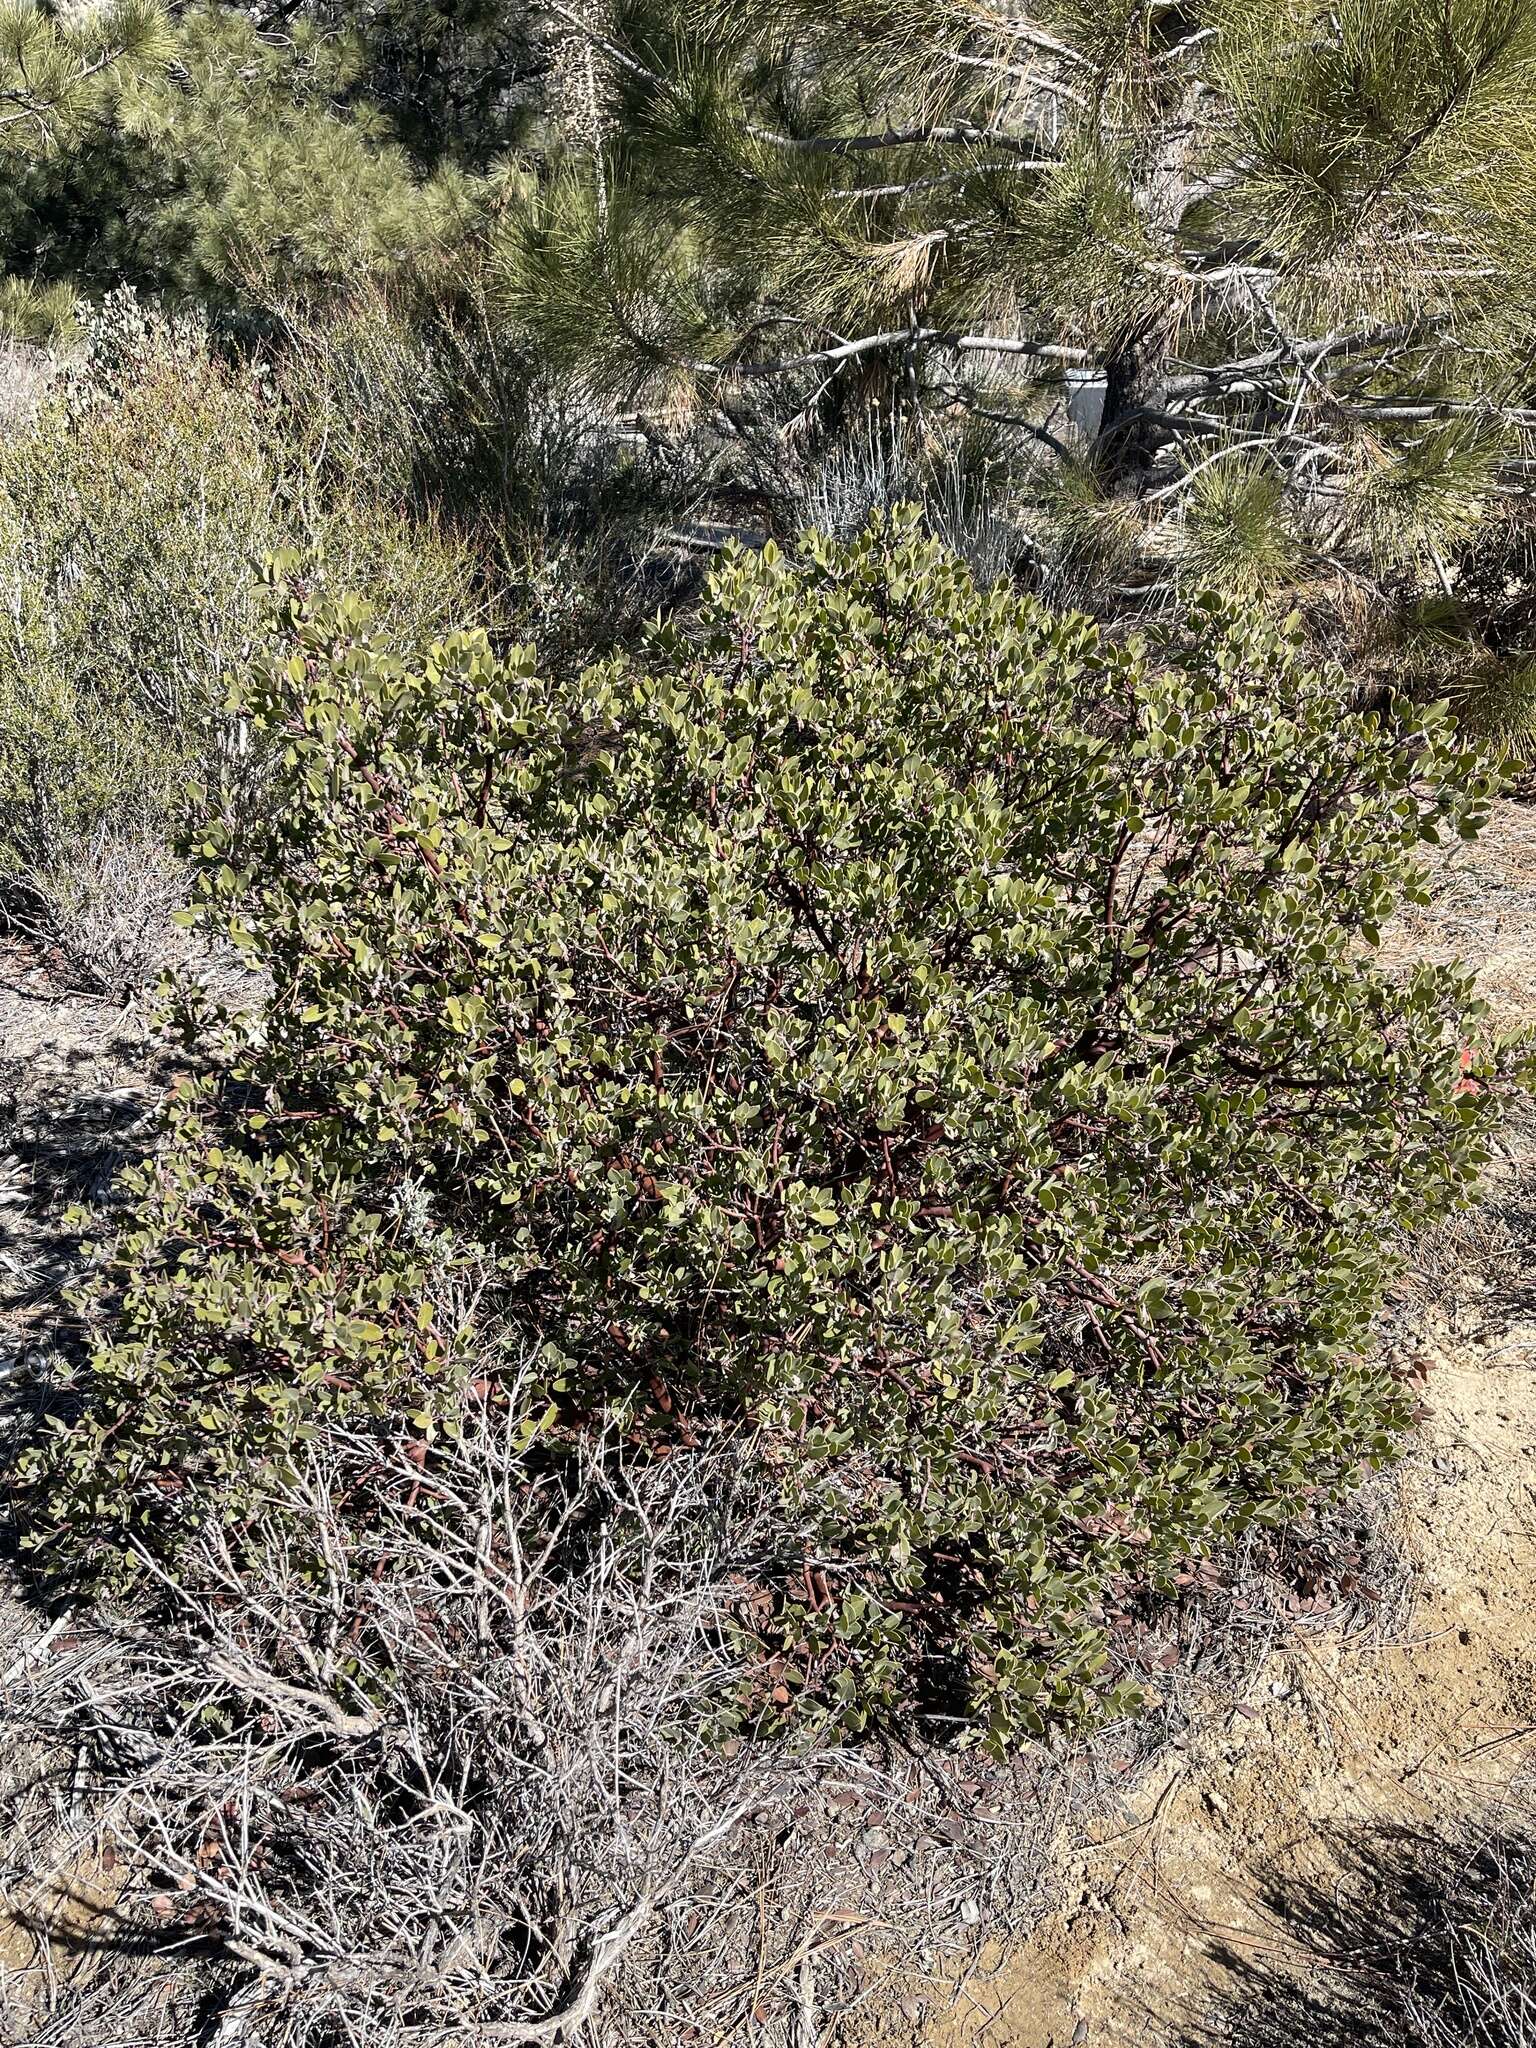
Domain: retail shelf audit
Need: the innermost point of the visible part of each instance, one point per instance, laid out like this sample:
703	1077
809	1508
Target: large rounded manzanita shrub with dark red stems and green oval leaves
888	1017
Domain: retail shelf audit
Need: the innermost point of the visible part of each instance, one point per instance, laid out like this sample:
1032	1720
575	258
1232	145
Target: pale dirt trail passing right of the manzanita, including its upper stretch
1166	1910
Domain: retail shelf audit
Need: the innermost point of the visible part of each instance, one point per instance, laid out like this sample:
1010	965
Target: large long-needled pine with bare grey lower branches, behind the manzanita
1254	280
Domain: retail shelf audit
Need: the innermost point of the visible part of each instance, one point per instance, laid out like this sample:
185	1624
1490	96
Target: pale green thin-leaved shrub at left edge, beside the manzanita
136	505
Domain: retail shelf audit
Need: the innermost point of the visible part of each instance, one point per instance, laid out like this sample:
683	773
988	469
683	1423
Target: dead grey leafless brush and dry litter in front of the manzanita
431	1752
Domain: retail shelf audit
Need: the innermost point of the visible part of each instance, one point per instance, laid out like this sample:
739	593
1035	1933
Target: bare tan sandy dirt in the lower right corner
1330	1742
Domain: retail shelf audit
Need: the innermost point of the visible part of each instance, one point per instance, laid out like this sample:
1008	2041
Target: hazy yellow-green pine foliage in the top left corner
216	163
